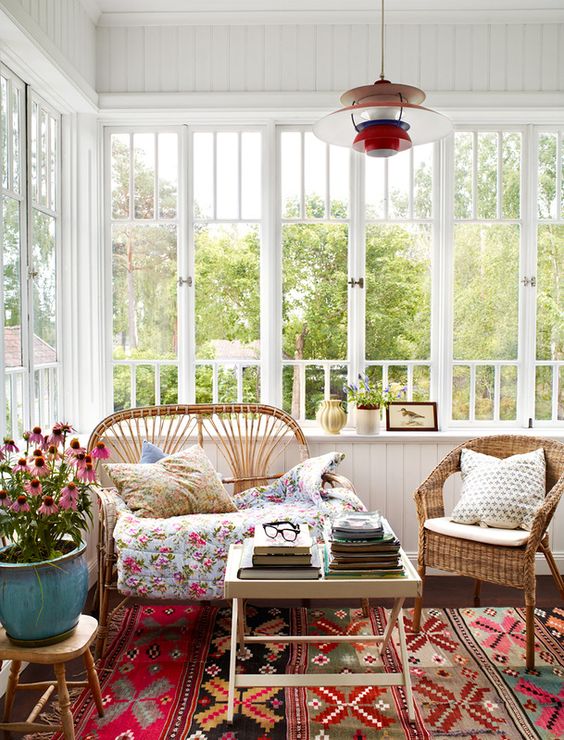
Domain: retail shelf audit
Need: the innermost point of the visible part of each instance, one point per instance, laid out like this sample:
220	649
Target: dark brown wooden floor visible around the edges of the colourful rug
440	591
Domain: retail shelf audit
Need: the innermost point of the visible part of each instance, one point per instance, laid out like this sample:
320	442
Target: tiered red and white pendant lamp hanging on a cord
382	119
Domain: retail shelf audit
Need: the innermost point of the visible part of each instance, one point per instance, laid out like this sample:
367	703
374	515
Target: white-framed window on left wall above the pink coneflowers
29	131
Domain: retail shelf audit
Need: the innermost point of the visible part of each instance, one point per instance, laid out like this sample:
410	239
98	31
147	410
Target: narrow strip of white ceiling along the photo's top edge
141	12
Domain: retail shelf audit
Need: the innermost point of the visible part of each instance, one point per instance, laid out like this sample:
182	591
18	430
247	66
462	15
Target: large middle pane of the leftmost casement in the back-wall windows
144	278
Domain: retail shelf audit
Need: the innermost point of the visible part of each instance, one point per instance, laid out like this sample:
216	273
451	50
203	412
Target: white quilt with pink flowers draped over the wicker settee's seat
184	557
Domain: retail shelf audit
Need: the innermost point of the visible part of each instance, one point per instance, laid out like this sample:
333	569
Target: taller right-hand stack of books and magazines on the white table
363	545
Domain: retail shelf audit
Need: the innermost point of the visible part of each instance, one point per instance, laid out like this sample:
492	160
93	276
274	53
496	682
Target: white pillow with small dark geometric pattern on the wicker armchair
504	493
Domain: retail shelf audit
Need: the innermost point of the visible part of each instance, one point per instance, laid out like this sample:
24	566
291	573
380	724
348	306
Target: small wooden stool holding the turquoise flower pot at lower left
56	655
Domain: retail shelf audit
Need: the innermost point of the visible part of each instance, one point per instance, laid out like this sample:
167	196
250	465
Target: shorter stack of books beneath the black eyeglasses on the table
267	558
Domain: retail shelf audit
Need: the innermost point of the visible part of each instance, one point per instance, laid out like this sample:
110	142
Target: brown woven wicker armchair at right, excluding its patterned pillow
505	565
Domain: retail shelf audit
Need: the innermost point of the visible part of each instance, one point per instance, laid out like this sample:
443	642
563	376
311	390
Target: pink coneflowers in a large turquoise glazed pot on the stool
45	507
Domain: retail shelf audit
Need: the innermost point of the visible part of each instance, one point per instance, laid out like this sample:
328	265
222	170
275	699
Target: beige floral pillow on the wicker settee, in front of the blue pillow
184	483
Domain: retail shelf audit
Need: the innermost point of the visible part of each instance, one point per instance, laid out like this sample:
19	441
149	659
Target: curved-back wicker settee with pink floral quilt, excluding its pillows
183	557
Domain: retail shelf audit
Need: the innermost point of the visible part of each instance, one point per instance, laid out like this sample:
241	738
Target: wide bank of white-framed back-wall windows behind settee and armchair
282	267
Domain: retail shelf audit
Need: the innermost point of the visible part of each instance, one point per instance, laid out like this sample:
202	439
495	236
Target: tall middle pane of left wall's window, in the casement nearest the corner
44	289
